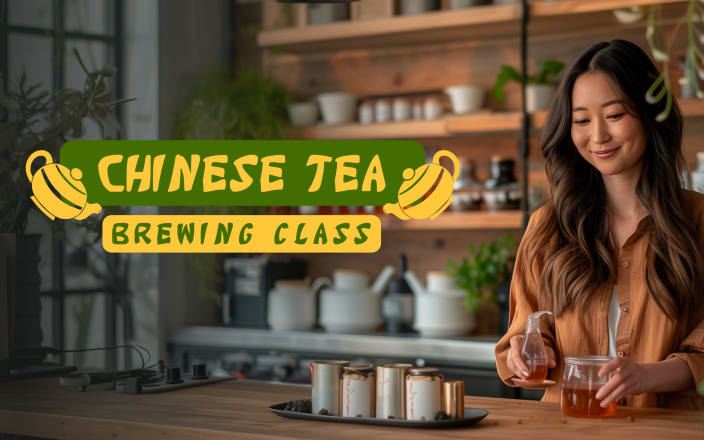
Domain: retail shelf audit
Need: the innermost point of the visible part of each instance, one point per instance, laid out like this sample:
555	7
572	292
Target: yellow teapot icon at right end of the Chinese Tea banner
427	191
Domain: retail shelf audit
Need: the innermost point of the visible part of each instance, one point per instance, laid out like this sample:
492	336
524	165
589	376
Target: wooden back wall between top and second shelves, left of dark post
397	71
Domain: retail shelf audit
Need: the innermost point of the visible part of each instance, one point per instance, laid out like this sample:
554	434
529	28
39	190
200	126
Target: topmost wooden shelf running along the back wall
489	22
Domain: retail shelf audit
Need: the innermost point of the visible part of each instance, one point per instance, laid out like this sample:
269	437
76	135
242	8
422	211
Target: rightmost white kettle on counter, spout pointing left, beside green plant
440	308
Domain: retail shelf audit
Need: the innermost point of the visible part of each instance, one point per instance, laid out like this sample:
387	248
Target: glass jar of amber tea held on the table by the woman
580	383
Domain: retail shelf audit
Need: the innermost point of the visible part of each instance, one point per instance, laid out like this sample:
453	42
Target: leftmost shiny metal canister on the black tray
326	377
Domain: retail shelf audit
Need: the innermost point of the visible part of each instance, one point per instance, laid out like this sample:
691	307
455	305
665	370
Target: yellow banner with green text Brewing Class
242	233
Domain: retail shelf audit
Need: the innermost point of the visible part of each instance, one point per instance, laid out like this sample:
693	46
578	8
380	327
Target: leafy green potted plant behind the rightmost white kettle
485	276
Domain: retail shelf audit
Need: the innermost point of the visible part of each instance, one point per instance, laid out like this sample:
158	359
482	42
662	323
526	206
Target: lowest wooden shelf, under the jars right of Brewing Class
457	220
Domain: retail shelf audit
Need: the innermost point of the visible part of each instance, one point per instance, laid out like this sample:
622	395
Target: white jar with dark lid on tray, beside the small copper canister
423	393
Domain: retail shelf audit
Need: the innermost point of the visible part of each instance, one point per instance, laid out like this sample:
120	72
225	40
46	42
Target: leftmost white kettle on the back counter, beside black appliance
292	305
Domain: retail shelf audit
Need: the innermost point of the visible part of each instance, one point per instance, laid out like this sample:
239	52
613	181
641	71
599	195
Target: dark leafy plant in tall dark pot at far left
32	119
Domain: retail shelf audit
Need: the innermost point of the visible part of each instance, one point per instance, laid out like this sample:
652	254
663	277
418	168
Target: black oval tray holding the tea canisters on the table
471	416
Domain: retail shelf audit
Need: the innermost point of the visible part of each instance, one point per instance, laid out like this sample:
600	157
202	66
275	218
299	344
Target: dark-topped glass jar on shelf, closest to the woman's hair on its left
502	191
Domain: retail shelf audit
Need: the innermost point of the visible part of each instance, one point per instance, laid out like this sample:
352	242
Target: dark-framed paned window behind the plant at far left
39	38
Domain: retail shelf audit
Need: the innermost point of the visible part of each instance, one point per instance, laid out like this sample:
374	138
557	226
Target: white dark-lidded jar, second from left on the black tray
358	397
